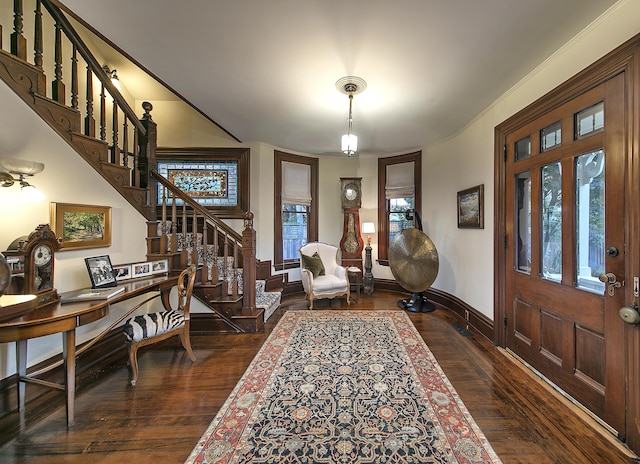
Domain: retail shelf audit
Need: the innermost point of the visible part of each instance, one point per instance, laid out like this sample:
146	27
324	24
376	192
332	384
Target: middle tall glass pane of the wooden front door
551	220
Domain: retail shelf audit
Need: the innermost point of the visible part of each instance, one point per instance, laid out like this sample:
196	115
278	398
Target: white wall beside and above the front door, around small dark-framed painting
466	160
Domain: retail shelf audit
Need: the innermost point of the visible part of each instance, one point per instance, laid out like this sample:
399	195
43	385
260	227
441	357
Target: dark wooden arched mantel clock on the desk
31	259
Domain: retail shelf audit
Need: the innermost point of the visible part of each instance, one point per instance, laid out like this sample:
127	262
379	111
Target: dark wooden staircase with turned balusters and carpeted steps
230	277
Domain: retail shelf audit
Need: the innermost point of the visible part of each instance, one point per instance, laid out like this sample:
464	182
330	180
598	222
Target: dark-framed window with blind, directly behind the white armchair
296	218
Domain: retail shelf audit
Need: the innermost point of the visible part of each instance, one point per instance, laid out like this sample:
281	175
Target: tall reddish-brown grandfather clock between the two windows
351	243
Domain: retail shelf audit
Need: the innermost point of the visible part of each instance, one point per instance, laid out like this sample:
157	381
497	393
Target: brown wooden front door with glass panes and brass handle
565	248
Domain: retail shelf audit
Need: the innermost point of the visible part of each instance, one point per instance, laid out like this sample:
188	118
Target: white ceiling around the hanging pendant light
266	70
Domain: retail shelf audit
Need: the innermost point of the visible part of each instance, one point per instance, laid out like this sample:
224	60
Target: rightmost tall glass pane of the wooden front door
590	220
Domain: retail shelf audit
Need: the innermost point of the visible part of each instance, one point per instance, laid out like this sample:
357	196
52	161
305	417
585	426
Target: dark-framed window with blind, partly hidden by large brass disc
399	189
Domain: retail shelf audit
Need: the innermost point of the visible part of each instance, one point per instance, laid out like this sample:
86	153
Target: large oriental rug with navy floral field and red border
343	387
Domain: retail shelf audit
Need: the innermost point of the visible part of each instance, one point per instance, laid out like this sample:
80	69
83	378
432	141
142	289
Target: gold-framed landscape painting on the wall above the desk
81	226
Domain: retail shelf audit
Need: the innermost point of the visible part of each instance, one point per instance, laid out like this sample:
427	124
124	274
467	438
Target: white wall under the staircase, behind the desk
65	179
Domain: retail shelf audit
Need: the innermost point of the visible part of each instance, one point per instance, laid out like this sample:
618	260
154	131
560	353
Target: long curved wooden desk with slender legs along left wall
64	318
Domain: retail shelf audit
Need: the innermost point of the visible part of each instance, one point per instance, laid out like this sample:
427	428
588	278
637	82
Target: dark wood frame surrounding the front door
623	60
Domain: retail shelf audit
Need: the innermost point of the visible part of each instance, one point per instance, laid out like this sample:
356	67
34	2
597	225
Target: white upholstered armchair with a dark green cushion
321	274
